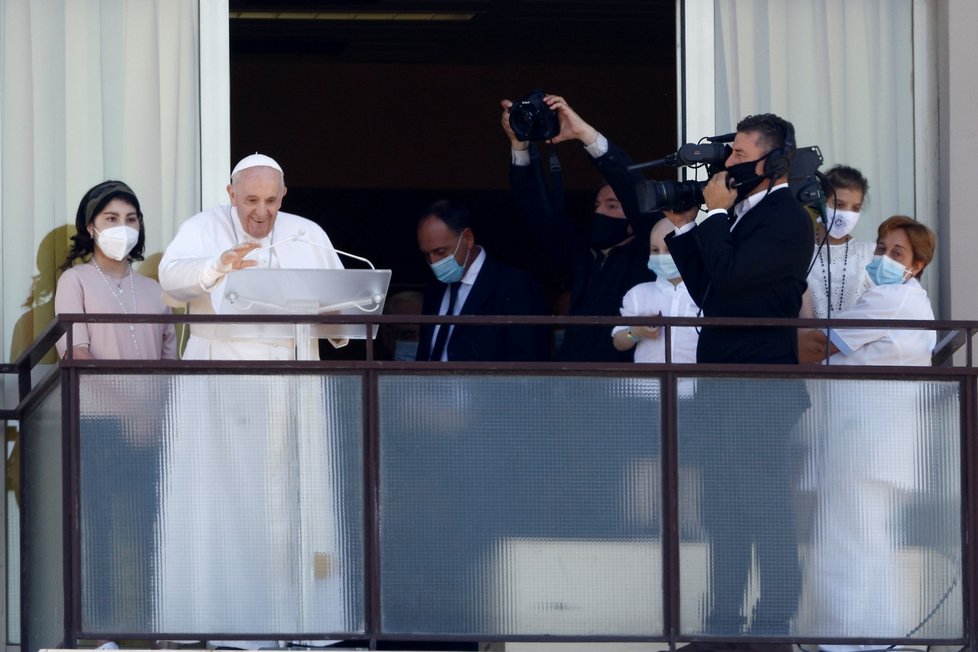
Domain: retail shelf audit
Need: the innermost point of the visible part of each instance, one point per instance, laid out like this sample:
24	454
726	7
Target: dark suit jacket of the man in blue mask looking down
498	290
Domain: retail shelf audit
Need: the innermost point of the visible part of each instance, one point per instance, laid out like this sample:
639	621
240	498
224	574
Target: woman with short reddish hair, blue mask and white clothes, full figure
864	462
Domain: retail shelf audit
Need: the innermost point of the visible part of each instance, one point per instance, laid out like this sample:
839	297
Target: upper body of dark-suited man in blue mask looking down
471	283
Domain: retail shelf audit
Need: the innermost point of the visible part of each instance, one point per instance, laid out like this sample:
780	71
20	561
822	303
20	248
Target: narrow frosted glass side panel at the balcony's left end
43	499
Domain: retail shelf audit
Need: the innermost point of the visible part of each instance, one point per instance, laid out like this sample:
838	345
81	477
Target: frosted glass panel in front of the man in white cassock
221	504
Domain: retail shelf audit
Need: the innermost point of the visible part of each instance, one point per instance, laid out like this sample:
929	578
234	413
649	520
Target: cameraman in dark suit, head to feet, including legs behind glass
749	258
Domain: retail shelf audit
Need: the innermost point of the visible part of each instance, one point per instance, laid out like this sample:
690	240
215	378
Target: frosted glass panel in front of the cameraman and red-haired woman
827	508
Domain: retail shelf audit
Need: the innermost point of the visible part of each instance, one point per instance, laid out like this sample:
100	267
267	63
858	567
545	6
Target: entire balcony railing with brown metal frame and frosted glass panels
378	500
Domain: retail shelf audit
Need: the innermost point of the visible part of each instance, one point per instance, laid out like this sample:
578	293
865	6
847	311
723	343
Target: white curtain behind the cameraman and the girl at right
842	72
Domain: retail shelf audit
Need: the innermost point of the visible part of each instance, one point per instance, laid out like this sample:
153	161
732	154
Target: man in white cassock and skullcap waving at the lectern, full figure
248	537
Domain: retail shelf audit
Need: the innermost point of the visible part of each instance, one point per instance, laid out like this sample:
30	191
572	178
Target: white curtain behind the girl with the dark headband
90	90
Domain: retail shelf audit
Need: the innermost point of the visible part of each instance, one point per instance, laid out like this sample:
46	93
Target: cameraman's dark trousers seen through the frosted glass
740	433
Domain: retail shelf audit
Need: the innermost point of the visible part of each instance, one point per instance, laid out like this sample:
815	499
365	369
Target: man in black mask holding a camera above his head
599	269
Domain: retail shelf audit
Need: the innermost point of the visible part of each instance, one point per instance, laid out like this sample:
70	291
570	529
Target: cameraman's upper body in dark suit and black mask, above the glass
749	257
